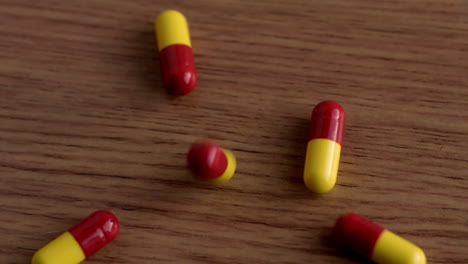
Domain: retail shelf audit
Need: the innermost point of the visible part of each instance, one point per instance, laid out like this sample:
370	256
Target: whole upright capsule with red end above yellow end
324	147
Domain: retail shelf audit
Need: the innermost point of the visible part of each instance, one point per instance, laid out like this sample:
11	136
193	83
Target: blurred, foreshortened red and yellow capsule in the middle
209	161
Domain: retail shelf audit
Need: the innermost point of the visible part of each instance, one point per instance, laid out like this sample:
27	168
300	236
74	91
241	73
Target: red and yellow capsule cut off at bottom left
81	241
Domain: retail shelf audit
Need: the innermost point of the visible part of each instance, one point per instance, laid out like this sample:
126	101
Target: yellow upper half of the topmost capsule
172	28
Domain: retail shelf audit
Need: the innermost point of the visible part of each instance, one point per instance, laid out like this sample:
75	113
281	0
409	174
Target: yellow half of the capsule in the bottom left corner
62	250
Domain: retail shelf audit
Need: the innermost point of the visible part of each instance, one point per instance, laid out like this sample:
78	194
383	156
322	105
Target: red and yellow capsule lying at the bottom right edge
369	240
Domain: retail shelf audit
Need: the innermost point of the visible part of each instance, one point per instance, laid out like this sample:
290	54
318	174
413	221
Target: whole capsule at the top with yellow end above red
175	53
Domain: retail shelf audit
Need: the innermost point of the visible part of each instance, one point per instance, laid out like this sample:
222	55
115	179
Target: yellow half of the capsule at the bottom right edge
393	249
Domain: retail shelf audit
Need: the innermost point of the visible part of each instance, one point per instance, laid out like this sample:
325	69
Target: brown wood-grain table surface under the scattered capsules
86	125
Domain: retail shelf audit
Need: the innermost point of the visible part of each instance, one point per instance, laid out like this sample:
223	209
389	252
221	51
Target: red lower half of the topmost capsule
178	69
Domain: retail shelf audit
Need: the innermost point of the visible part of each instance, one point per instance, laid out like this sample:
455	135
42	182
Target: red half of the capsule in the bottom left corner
96	231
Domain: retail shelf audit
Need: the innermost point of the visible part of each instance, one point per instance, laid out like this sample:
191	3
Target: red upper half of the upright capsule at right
327	122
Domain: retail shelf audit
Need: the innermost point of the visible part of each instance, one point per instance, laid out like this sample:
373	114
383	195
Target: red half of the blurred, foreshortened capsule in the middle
207	160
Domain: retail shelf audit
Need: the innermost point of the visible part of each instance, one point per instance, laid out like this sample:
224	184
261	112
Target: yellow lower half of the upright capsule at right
321	166
